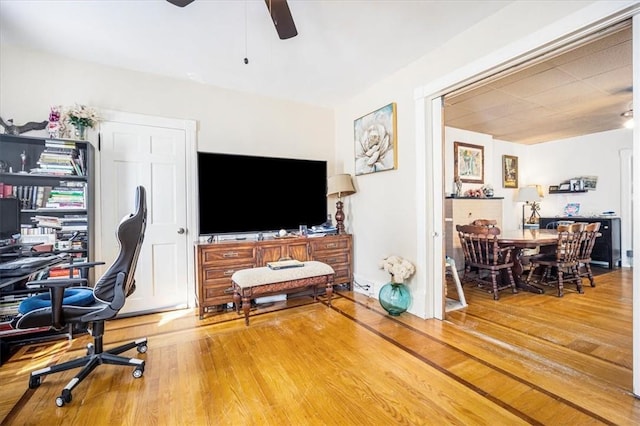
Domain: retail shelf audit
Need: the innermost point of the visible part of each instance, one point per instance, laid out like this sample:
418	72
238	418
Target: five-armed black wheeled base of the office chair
95	356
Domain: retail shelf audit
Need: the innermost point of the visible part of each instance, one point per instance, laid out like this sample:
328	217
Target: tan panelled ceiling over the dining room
578	92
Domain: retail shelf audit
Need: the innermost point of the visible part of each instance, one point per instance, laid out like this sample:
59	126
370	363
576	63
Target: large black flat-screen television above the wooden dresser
242	193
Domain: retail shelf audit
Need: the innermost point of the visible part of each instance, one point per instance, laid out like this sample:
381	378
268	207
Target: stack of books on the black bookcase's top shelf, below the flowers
60	157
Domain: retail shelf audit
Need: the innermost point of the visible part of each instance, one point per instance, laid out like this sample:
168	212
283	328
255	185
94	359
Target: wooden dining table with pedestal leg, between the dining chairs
527	238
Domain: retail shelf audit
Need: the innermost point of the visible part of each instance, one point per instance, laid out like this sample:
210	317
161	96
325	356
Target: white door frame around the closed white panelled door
189	127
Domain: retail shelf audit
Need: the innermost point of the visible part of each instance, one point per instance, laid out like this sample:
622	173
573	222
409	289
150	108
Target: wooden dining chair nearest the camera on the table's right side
562	266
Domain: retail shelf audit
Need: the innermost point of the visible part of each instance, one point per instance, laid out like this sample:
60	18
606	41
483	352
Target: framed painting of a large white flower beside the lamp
376	141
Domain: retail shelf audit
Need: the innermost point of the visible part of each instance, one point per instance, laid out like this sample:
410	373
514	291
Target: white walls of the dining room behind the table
548	164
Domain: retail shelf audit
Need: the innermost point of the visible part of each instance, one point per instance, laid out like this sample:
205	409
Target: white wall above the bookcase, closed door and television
228	121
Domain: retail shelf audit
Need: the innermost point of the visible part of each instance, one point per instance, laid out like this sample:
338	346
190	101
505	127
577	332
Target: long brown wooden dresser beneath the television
216	262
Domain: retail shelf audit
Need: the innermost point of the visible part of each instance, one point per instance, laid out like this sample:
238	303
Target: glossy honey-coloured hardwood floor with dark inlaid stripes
525	359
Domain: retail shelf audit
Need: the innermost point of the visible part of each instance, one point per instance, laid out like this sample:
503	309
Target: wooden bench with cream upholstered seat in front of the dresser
253	282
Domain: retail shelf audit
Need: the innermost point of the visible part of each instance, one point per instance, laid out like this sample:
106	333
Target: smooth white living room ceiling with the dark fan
342	47
